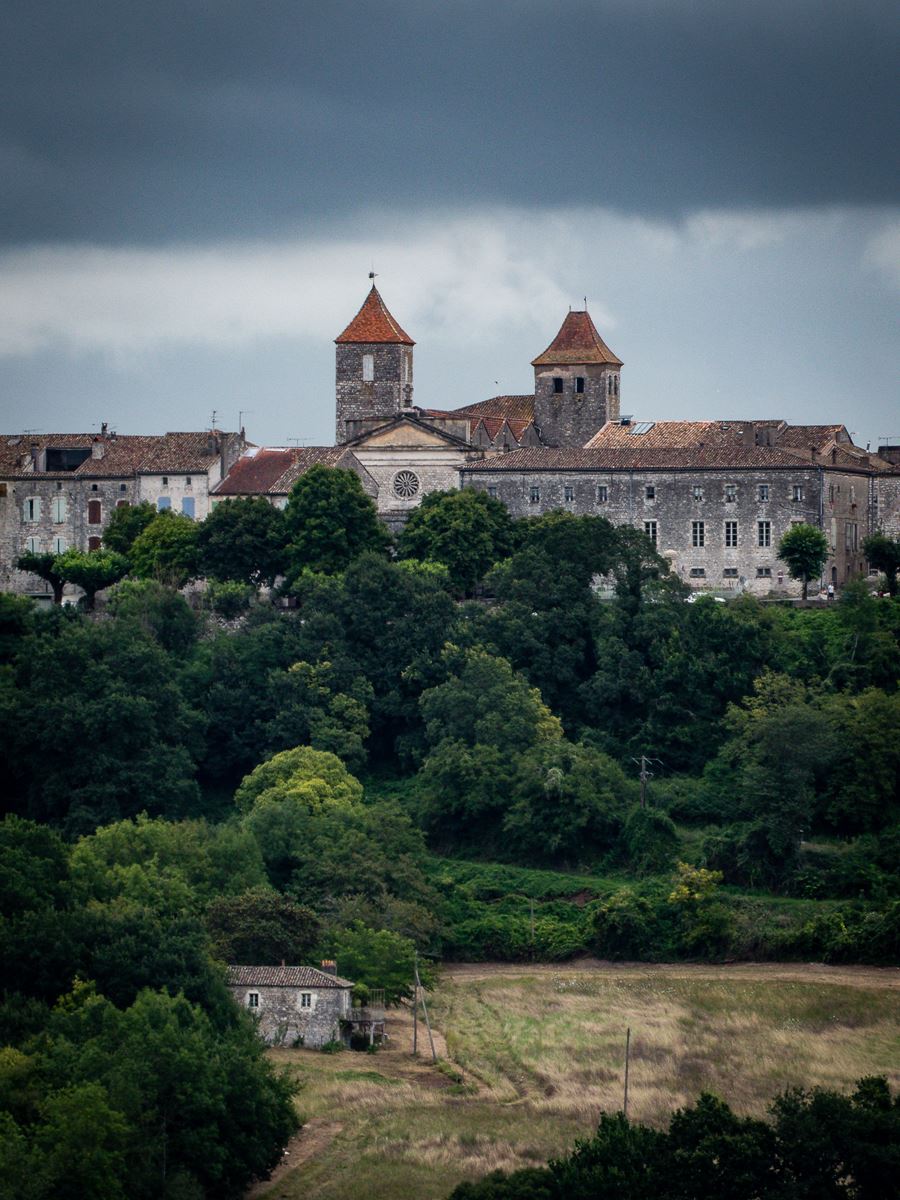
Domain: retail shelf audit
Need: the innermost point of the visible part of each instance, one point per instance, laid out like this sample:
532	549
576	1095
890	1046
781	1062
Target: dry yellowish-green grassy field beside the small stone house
531	1055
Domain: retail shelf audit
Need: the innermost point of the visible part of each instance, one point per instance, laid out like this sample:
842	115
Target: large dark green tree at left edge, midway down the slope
117	739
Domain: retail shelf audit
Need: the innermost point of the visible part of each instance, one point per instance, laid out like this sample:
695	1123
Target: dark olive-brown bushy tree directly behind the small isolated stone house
262	928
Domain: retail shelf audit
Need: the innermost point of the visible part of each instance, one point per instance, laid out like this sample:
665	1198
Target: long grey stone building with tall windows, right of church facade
715	497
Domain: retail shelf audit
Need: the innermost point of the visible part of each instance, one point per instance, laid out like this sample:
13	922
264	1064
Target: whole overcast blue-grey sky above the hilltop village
193	195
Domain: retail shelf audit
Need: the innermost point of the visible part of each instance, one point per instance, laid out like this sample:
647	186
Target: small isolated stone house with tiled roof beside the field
296	1005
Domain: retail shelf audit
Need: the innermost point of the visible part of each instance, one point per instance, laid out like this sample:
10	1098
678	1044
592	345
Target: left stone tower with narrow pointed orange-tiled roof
374	369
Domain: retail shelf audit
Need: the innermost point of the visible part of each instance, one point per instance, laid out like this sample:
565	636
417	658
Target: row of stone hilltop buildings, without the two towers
715	505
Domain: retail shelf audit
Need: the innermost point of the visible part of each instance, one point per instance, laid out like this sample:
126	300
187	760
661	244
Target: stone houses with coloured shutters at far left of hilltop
58	490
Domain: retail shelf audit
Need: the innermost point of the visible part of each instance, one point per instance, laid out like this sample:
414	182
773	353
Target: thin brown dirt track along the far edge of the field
801	973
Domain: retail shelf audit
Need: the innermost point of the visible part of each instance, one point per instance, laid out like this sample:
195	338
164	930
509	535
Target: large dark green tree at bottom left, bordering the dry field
206	1113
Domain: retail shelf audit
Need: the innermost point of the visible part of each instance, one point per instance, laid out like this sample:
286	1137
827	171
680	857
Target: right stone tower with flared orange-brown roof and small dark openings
577	385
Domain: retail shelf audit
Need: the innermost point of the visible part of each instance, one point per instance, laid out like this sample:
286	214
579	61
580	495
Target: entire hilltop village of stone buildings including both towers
713	497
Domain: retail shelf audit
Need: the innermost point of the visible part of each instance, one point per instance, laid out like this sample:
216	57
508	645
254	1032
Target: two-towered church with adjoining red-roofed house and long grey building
715	497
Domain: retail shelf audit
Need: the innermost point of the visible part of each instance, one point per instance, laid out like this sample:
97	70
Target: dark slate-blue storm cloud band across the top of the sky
176	121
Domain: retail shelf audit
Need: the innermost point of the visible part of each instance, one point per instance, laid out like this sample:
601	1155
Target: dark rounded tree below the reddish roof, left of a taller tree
243	541
